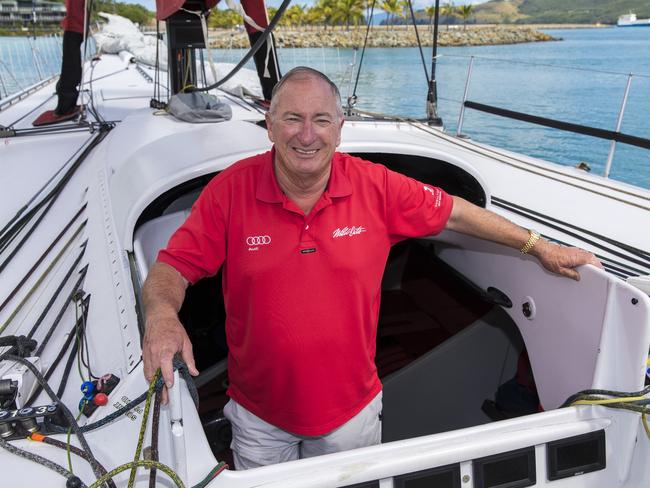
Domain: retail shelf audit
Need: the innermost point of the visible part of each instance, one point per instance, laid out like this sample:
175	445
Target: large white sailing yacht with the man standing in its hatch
86	205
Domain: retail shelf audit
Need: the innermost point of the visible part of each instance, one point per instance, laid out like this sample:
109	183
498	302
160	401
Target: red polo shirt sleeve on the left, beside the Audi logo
198	247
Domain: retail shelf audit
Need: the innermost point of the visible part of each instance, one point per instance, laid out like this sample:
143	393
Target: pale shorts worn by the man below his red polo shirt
258	443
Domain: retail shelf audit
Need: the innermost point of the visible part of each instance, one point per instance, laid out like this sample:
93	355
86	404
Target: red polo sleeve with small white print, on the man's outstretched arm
414	209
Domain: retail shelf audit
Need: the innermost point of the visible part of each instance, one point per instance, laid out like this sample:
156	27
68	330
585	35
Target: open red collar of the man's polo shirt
268	190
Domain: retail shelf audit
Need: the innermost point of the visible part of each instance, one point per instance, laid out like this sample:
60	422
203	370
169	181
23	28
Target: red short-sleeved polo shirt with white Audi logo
302	292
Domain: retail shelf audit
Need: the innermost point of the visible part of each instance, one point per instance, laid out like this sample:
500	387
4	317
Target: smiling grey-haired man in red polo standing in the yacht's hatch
303	234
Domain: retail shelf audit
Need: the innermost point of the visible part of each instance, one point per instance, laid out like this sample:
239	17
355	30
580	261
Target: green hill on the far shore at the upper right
558	11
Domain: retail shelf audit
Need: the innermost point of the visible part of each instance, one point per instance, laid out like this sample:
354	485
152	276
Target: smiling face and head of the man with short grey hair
305	127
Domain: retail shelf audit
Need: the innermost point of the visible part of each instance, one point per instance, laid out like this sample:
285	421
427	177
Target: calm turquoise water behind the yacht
580	79
